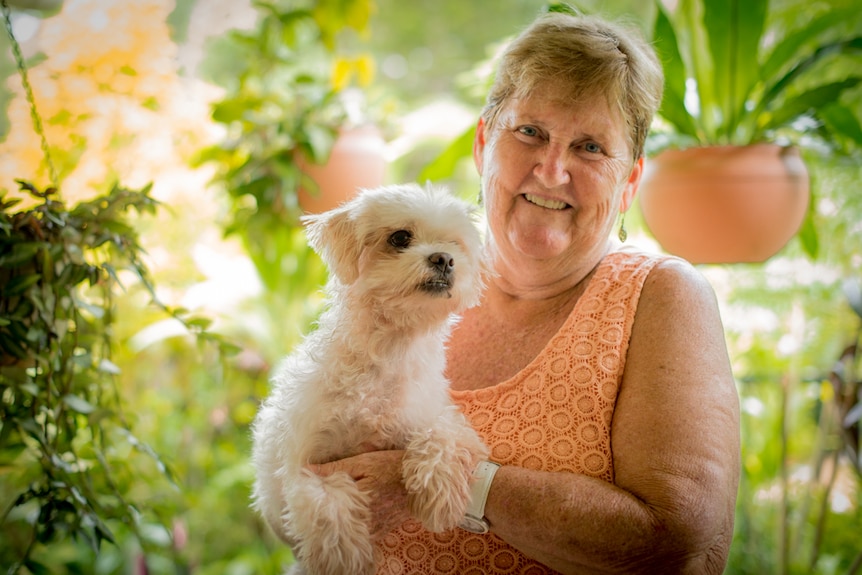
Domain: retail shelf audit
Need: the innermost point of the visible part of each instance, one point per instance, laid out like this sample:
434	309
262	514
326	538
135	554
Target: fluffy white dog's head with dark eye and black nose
404	249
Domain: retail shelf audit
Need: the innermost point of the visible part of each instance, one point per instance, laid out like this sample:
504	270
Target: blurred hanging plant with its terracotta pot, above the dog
297	134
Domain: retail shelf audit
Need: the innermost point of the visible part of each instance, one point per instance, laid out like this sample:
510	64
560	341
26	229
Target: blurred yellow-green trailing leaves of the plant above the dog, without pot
286	97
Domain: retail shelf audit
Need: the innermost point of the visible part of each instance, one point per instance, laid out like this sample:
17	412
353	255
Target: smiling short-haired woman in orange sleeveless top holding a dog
598	376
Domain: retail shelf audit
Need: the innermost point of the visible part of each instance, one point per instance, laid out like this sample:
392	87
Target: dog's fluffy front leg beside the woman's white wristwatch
438	468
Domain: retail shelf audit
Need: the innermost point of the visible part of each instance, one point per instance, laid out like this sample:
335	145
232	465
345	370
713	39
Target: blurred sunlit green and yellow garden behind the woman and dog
176	132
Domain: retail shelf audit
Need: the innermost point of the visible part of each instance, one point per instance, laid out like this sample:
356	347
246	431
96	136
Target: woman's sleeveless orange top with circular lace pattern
554	415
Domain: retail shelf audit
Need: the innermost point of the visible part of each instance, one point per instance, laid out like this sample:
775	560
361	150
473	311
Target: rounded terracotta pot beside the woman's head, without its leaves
725	204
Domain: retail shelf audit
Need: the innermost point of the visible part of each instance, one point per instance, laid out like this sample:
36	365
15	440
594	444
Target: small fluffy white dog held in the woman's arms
403	260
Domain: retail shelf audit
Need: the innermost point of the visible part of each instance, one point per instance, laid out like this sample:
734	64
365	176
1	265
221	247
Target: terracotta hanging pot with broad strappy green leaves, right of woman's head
743	92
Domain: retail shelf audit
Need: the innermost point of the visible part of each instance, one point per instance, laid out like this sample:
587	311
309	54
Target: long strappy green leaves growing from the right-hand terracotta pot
732	79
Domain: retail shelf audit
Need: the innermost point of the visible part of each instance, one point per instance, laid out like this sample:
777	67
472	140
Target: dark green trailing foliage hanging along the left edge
65	445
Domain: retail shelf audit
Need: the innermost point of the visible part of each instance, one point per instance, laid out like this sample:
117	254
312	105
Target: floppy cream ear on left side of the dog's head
333	236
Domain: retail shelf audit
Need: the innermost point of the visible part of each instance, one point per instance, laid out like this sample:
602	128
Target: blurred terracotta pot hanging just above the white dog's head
356	161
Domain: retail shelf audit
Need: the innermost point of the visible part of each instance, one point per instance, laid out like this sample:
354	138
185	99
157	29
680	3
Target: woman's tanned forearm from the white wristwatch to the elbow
578	524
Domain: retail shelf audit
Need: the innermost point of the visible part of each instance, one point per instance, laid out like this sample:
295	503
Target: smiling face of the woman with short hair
555	177
